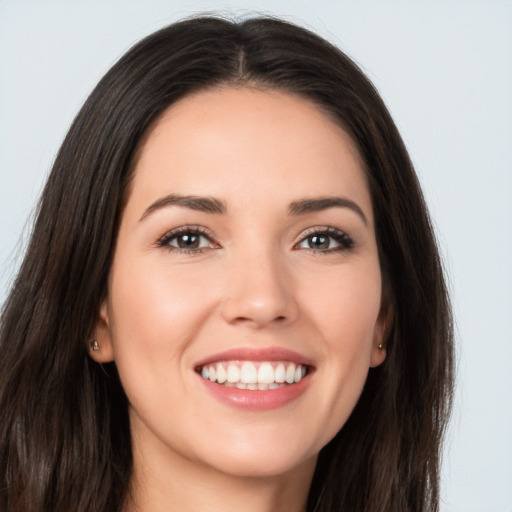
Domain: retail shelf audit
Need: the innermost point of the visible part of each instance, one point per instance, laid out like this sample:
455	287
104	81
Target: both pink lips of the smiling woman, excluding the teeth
257	400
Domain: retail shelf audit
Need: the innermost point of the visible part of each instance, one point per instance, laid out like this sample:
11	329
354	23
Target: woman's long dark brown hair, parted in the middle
64	431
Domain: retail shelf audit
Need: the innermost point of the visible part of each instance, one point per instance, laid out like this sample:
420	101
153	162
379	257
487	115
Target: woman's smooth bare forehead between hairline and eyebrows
245	142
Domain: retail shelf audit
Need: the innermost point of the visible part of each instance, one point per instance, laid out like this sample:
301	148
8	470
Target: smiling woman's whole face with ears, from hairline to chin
246	258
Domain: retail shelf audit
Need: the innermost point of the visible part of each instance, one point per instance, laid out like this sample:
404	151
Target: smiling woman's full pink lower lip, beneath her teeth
257	400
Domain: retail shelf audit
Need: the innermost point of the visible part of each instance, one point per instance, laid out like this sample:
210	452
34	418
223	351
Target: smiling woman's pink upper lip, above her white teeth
257	354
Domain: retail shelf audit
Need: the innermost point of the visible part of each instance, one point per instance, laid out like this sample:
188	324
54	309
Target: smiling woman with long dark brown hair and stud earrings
232	296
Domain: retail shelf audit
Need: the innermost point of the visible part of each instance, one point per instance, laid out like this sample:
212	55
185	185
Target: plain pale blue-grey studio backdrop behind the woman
445	71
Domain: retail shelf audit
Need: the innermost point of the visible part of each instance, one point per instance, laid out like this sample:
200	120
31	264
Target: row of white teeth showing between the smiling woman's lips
253	375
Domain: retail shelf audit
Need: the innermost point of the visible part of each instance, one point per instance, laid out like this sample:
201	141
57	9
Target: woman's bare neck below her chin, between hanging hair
163	483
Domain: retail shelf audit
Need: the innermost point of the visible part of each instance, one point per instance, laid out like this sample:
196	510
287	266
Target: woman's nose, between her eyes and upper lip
259	292
